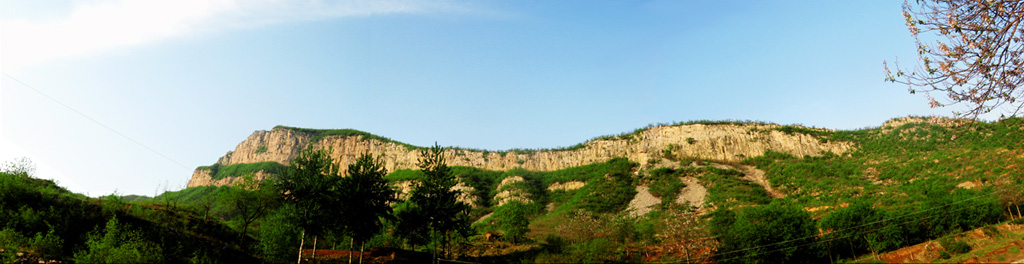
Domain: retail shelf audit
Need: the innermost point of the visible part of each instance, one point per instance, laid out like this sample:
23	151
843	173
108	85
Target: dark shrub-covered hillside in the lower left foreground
41	223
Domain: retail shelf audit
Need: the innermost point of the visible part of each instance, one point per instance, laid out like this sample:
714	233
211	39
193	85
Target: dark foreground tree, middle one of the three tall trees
369	198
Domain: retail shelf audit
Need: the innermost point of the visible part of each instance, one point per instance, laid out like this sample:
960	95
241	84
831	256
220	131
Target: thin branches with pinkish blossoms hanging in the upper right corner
977	56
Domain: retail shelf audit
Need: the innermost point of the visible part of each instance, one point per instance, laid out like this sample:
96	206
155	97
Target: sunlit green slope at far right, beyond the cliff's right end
899	166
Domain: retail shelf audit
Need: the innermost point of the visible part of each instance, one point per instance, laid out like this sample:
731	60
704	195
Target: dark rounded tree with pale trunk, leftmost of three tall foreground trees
311	185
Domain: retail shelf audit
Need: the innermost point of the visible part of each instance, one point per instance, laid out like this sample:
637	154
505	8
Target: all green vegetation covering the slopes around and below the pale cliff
900	187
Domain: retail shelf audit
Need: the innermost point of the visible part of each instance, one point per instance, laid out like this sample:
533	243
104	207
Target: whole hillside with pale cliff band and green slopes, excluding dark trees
906	191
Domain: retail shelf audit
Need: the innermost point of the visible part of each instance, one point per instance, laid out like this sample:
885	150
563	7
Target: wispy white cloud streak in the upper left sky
105	26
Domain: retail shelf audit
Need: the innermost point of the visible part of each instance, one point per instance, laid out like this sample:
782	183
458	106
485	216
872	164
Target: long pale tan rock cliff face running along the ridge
721	143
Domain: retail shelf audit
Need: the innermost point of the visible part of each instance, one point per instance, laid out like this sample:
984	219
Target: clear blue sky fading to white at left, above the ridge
130	97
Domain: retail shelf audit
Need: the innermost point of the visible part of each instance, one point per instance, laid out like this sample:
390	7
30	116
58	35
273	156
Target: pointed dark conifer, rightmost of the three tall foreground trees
434	203
